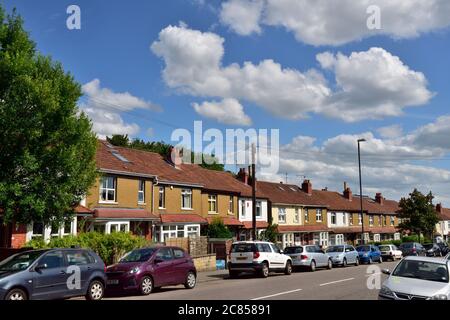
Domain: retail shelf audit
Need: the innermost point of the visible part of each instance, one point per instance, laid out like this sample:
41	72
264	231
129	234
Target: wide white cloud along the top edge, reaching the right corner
336	22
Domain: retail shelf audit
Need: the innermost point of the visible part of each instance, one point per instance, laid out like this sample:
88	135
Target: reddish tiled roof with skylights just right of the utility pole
281	193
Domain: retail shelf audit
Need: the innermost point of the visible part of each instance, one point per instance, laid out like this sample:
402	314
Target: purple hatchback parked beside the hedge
145	269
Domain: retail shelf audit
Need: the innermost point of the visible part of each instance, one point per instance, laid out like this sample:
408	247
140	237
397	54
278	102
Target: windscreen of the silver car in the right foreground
423	270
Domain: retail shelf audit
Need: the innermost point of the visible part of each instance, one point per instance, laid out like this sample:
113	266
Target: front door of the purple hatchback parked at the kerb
163	272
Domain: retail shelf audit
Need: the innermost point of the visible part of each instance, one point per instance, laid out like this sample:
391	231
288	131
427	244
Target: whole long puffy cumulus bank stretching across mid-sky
369	85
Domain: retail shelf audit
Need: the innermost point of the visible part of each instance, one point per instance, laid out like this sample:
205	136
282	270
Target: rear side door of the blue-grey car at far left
79	261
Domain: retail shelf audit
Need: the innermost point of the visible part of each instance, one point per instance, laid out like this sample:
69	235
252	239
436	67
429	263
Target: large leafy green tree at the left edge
47	147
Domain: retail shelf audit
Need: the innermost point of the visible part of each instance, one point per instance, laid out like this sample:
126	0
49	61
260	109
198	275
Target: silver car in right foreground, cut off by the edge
417	278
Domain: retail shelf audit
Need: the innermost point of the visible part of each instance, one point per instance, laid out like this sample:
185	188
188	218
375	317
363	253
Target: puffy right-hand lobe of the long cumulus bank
372	84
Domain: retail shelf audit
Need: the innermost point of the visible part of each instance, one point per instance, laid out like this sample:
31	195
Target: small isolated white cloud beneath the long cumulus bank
227	111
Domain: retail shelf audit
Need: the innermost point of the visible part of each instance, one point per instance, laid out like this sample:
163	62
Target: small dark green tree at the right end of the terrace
418	213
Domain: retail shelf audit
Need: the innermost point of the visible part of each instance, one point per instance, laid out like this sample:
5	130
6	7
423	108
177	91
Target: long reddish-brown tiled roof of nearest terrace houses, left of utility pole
153	164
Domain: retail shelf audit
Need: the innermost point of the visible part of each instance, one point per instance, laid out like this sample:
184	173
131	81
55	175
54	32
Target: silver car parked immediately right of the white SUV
309	256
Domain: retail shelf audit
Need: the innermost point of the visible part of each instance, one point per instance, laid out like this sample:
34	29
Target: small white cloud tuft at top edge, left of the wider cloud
242	15
